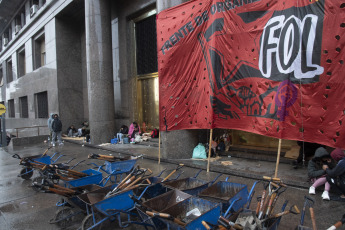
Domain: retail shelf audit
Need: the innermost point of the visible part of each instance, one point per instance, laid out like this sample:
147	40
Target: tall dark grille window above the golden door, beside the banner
146	45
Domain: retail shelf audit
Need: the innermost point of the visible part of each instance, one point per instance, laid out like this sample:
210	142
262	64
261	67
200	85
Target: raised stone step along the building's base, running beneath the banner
241	165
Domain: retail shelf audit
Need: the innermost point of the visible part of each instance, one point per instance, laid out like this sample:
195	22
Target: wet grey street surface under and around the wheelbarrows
21	208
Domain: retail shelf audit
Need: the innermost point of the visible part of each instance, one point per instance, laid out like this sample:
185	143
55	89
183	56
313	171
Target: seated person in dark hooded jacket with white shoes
317	174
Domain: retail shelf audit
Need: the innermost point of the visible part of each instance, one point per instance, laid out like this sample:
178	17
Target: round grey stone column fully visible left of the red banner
99	70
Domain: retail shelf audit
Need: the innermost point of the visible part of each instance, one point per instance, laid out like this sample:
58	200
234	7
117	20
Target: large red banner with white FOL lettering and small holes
269	67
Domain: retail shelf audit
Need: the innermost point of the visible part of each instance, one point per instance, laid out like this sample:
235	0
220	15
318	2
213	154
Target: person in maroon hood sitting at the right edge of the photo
336	176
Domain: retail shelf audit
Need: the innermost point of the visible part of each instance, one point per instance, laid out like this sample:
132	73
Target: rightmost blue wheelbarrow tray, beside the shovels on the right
225	192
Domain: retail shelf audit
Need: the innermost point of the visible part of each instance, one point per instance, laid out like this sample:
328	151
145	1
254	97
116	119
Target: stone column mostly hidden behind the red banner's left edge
180	143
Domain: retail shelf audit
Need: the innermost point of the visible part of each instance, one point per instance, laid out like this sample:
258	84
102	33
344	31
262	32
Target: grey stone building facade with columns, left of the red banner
84	60
